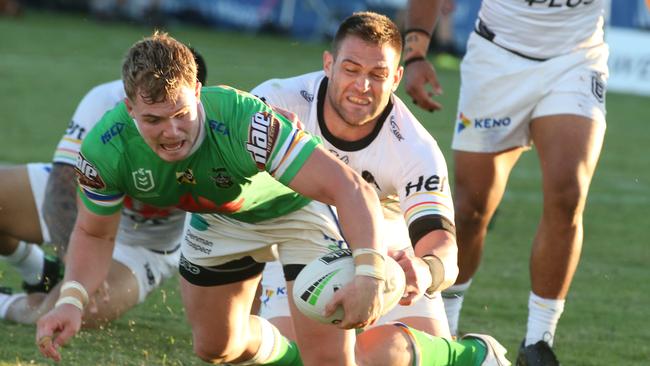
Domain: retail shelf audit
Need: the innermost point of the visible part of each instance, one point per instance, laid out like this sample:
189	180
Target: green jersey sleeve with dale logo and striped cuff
270	142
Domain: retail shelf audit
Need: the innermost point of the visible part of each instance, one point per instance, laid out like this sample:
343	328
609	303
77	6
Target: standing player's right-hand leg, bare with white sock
568	148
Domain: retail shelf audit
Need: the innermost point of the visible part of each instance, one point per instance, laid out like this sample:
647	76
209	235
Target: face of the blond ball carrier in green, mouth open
170	128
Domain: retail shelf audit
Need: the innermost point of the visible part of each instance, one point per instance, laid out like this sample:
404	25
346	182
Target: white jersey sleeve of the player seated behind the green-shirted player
89	111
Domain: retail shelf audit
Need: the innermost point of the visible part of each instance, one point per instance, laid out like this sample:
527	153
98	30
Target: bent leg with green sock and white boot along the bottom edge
399	345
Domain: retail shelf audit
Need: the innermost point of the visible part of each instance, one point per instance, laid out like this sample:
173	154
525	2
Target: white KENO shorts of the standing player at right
501	93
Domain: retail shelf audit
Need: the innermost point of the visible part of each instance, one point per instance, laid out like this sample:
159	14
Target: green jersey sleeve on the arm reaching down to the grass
97	171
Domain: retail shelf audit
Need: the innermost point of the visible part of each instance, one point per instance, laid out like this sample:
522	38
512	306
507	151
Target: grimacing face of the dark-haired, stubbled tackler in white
361	80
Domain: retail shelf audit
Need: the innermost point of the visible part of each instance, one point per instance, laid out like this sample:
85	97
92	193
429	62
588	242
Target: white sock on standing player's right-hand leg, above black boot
543	315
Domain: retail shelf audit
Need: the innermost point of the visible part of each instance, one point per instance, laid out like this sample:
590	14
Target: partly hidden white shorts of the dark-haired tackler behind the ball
275	301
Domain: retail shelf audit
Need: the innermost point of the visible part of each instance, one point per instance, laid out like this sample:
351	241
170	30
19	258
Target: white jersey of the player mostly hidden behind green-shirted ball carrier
140	225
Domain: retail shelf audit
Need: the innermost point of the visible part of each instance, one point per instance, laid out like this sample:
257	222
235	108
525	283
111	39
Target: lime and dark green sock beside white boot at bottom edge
430	350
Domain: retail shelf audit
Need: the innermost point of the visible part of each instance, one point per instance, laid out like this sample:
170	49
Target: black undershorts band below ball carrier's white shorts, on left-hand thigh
230	272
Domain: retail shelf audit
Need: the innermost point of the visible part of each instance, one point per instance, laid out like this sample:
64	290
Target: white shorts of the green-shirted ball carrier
301	236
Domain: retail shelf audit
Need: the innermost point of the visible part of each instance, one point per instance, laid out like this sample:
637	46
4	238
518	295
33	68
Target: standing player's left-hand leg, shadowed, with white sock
480	181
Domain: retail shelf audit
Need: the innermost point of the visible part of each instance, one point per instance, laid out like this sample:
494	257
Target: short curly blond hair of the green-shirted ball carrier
157	67
